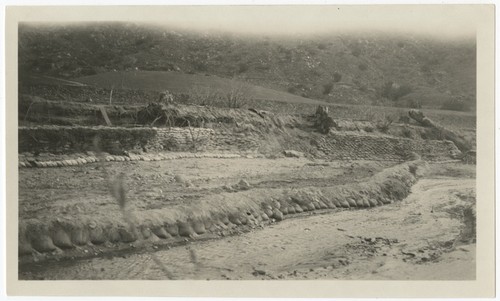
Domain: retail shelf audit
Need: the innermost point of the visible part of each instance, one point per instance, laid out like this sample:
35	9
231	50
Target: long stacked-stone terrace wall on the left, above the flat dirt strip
116	140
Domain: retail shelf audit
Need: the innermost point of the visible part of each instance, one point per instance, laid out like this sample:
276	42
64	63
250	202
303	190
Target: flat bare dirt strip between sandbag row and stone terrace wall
69	191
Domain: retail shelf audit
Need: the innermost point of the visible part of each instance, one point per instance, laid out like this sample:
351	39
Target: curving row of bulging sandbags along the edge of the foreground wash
58	234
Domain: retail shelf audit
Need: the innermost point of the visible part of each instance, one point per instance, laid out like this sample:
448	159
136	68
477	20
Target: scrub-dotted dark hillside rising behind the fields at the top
363	69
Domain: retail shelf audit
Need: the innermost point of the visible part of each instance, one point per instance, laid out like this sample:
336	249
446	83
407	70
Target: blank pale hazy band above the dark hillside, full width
446	21
